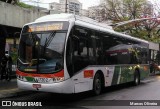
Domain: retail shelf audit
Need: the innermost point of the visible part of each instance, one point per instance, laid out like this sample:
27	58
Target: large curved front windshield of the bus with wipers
41	51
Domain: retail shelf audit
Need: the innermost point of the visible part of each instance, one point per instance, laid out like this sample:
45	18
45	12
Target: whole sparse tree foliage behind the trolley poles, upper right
124	10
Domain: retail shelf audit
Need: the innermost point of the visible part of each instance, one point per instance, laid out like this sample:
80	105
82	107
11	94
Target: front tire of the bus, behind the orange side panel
97	84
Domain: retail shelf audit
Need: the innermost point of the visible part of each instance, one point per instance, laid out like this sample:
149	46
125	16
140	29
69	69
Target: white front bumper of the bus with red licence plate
66	86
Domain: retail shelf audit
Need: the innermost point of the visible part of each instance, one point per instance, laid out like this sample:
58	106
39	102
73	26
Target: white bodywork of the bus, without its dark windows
83	79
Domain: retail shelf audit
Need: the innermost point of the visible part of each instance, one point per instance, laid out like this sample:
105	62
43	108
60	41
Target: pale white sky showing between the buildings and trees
85	3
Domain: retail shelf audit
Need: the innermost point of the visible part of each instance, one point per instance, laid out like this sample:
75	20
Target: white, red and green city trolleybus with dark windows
66	53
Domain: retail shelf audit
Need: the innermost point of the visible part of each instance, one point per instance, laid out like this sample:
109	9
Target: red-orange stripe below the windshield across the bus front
58	74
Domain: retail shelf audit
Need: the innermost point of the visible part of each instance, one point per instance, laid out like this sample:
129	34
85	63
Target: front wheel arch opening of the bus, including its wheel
98	82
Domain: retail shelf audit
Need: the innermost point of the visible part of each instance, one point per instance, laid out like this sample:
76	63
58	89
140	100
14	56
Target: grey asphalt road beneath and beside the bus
118	97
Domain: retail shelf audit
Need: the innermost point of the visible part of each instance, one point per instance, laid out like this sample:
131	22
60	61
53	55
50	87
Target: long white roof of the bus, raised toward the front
85	21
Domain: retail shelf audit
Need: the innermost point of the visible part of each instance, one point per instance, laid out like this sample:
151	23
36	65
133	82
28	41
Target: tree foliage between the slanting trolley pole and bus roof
145	29
